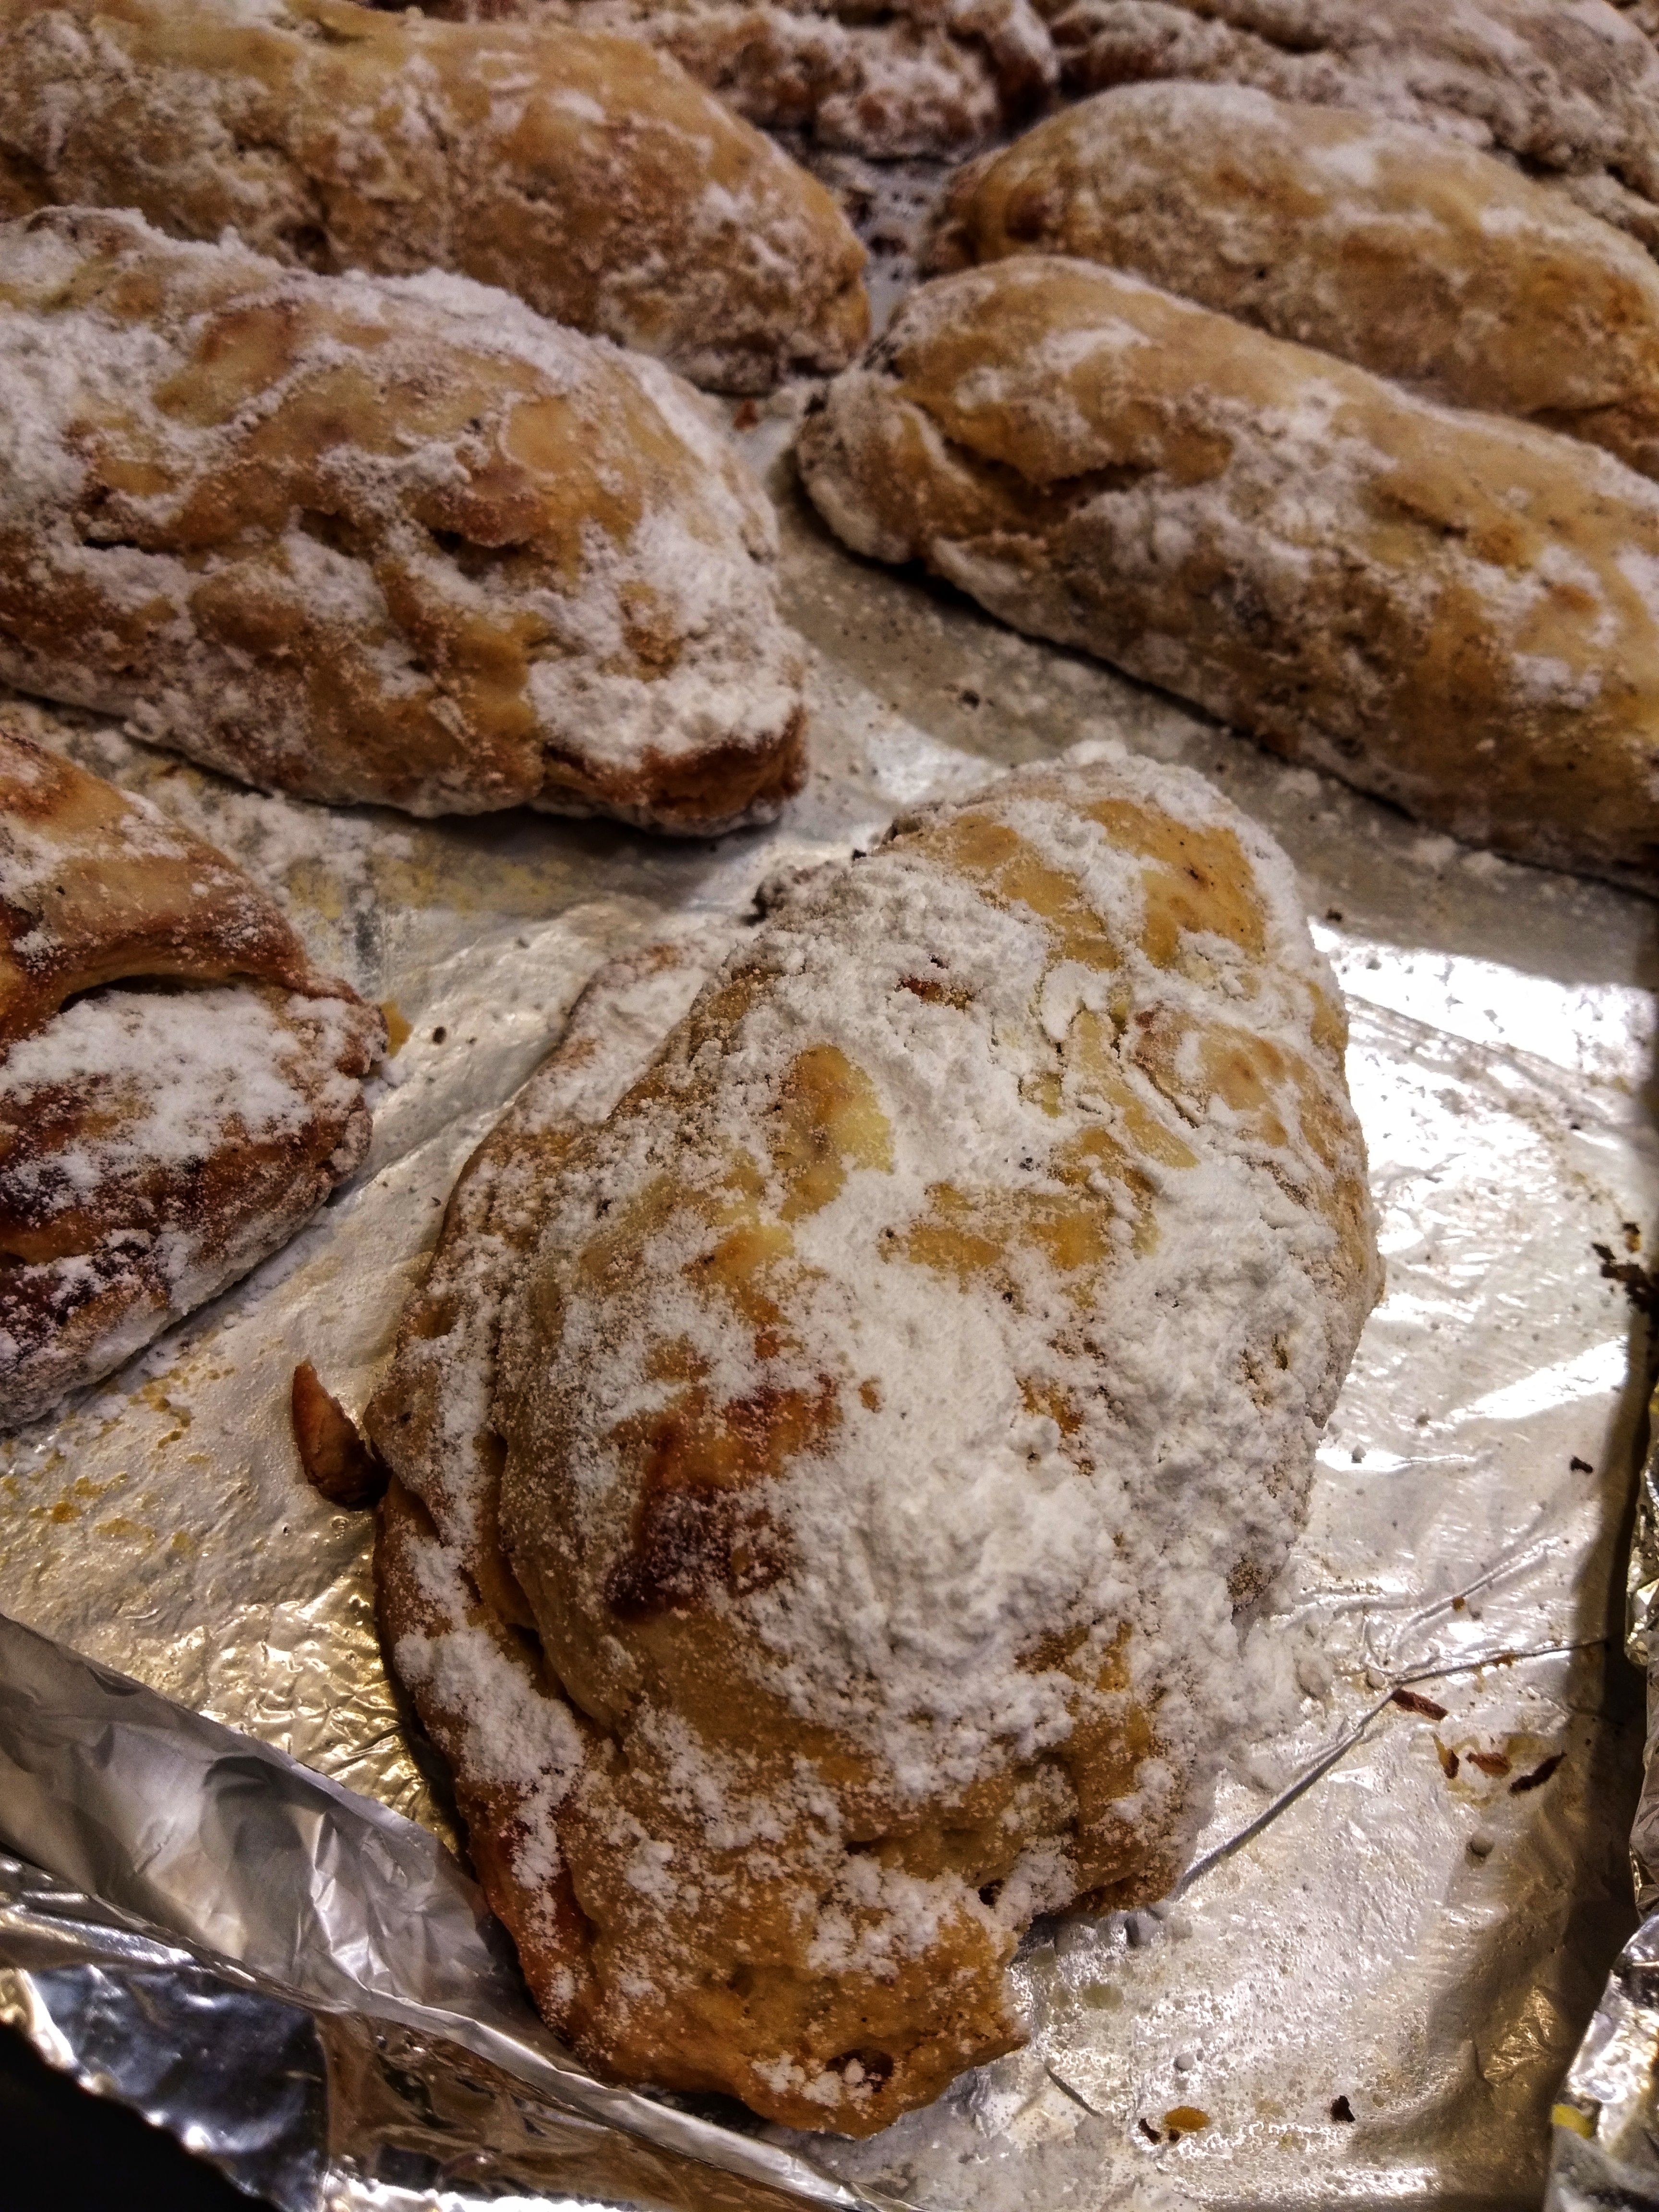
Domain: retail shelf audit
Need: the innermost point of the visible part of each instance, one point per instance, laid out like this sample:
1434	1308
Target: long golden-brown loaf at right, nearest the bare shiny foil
1450	609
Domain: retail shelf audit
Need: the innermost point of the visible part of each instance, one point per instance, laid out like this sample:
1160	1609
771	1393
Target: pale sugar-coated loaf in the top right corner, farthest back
1565	87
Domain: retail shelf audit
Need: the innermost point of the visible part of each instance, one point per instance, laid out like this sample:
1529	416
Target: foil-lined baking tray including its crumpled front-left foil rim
1415	1886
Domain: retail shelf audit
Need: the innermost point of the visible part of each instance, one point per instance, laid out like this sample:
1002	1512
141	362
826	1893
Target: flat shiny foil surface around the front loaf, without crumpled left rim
1392	1941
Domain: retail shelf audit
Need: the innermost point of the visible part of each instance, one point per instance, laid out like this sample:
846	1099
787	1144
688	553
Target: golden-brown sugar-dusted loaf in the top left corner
581	171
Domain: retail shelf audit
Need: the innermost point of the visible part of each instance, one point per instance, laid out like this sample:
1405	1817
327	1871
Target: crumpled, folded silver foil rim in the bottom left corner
182	1903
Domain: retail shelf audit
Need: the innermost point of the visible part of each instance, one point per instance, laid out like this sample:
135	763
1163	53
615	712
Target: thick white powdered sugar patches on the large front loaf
917	1598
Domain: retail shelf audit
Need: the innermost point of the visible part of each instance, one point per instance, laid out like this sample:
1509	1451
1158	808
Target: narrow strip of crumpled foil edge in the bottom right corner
1605	2153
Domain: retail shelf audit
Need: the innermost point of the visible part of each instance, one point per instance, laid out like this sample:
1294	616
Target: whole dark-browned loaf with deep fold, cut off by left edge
180	1089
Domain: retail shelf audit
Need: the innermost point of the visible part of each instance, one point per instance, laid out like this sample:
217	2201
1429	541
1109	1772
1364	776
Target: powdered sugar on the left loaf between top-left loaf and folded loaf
696	567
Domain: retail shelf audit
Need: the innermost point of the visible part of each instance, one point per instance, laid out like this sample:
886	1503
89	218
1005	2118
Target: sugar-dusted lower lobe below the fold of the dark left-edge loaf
156	1145
